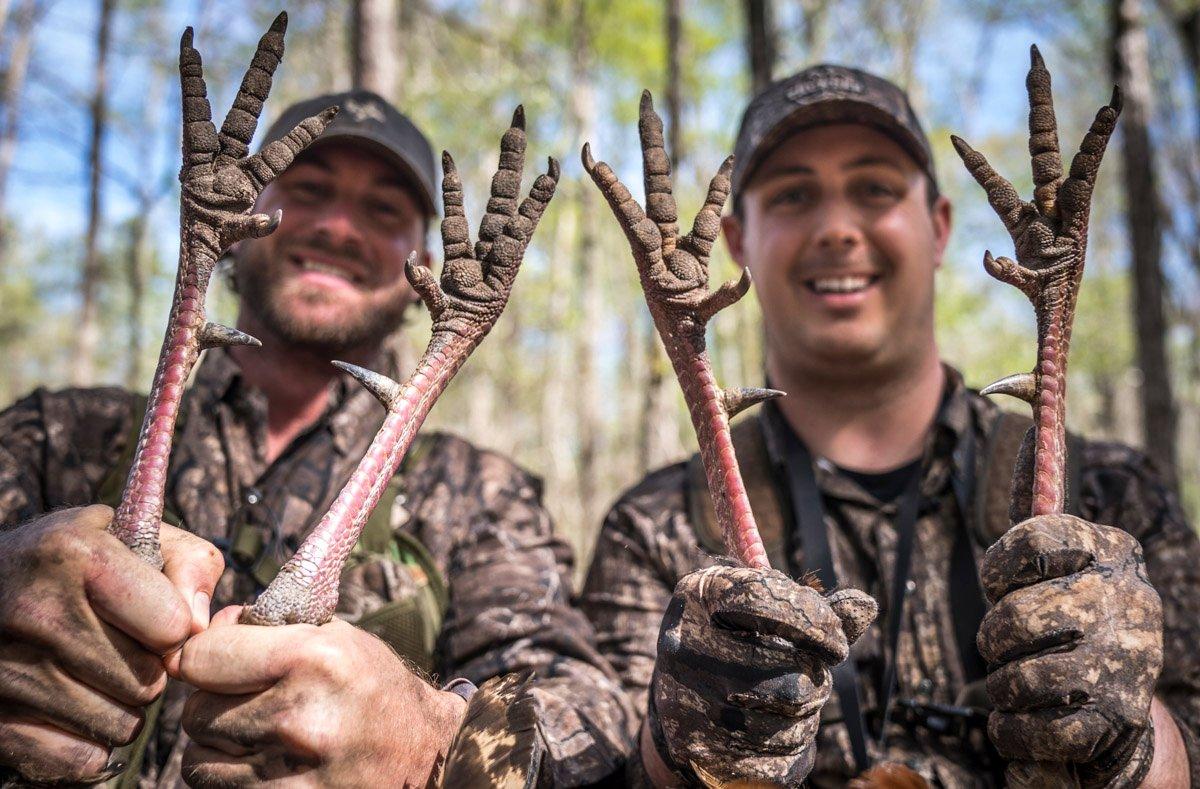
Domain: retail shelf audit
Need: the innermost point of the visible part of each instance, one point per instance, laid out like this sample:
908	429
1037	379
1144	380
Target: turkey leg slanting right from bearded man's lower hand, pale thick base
465	306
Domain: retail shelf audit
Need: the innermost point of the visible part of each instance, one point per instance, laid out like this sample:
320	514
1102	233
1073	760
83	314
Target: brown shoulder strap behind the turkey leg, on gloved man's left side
754	461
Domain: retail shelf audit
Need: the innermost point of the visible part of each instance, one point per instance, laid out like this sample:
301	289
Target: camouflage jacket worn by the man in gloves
649	543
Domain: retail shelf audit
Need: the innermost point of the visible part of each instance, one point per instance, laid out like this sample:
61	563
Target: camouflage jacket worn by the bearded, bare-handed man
478	515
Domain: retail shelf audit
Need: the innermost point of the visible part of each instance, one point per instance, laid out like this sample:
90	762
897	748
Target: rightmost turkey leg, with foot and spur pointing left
1051	238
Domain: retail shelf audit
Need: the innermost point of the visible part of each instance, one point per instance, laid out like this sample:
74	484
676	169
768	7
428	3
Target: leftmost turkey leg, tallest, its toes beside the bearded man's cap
220	184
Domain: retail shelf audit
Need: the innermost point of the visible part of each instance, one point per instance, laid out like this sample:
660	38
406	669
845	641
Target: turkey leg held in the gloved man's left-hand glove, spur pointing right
675	278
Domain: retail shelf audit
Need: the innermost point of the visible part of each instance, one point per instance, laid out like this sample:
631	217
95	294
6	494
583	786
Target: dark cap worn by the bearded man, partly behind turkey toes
369	121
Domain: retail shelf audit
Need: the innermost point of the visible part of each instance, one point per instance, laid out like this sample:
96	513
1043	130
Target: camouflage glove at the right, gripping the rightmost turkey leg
1075	646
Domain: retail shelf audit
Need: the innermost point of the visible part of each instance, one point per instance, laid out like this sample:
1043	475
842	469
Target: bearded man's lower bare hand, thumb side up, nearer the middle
329	706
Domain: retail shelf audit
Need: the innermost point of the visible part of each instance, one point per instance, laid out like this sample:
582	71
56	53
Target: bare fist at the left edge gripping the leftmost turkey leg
85	627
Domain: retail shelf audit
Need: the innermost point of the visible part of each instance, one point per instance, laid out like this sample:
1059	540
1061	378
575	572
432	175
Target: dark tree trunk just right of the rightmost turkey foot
1131	69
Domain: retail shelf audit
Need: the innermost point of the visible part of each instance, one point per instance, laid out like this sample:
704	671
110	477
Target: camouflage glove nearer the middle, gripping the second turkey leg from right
743	672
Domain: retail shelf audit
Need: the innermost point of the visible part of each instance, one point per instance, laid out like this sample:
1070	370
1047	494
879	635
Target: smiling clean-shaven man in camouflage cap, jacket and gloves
881	472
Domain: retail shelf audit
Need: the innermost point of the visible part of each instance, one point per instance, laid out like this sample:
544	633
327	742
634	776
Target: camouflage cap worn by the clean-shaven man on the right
823	95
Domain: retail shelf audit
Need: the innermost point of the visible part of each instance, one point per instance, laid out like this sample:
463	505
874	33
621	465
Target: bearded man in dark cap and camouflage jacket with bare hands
459	570
